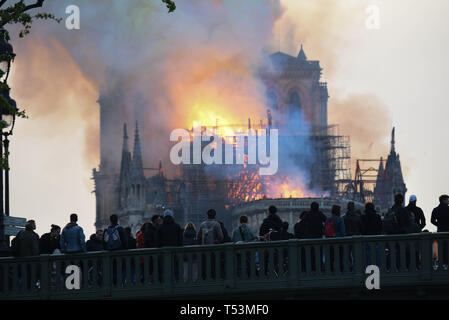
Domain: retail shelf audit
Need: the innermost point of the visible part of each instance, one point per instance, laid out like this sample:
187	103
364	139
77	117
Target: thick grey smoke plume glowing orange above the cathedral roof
163	70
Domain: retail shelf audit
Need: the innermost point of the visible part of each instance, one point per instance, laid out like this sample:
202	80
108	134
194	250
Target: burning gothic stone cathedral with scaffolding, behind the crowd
314	162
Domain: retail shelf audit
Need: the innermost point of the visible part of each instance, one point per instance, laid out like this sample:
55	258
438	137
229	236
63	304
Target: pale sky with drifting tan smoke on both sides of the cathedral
396	75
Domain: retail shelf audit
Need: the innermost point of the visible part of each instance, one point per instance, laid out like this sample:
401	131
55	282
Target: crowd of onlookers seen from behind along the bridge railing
163	231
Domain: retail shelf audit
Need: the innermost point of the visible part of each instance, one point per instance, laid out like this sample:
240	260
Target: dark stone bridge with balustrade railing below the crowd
293	269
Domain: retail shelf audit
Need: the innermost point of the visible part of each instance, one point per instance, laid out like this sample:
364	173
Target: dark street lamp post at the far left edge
7	113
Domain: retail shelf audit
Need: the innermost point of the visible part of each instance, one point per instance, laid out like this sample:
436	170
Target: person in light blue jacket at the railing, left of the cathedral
72	237
